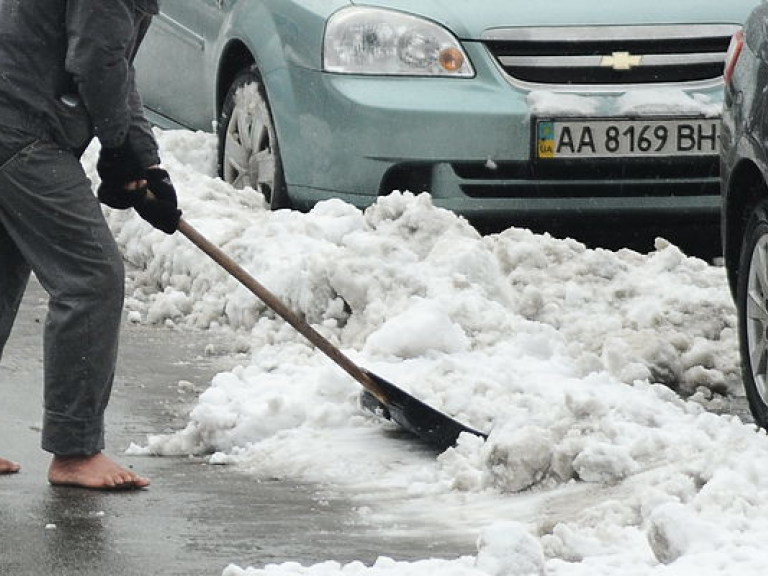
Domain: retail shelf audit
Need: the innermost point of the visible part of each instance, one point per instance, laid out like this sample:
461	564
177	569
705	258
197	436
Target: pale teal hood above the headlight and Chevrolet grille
468	19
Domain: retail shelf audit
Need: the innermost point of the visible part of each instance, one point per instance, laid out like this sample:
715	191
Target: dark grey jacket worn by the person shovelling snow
66	69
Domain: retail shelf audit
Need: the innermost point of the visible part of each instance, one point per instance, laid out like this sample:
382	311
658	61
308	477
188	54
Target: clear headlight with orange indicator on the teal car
362	40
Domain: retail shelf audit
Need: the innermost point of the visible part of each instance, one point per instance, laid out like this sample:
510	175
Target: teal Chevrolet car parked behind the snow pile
498	108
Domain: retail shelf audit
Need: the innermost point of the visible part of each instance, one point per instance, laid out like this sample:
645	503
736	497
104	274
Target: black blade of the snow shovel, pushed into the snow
430	425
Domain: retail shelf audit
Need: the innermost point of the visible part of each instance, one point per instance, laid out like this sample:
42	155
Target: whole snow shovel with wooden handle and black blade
380	396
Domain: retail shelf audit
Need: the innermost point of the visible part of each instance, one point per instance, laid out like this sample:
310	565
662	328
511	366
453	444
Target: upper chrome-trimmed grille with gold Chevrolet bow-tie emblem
610	55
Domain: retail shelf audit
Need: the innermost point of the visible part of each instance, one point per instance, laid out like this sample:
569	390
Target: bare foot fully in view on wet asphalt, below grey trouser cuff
98	472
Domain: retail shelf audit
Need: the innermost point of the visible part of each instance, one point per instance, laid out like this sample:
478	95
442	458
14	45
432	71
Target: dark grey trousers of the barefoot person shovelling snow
51	224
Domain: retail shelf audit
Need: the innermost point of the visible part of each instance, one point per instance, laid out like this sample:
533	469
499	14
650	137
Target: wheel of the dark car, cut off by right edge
752	306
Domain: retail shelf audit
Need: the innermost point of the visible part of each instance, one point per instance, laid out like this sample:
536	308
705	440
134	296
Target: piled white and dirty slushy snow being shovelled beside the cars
592	370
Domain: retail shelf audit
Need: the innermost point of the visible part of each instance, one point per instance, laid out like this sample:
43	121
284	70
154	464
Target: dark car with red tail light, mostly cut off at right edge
744	187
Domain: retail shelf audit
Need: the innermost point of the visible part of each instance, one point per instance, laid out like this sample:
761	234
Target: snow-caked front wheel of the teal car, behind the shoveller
248	151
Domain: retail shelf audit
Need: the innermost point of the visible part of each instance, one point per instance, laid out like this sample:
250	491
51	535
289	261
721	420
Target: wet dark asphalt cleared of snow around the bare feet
195	519
